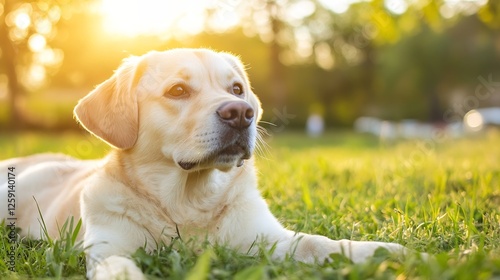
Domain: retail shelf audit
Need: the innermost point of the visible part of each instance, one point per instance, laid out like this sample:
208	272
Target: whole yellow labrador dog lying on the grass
183	127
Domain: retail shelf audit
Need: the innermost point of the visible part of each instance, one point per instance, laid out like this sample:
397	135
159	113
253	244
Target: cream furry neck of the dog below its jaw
161	181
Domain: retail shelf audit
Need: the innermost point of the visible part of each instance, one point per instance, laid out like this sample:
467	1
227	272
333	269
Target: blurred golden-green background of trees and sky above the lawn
392	67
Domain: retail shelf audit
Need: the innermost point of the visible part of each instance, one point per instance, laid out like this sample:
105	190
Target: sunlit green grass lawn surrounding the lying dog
442	198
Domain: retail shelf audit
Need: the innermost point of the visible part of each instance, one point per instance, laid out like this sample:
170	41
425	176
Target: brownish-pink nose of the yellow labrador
237	114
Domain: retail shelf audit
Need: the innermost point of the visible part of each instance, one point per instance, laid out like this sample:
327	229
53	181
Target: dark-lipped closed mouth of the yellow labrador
224	156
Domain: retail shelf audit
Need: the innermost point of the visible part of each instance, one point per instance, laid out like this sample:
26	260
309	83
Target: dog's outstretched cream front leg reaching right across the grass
257	221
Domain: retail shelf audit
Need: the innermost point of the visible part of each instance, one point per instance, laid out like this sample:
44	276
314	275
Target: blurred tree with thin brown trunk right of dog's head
280	24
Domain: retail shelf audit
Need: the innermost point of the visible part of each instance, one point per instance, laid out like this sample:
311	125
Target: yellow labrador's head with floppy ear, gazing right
194	106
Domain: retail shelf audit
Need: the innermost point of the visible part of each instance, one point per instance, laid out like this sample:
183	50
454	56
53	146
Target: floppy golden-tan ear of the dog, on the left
111	111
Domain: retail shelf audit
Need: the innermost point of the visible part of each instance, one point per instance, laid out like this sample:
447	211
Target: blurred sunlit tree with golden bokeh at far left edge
26	30
